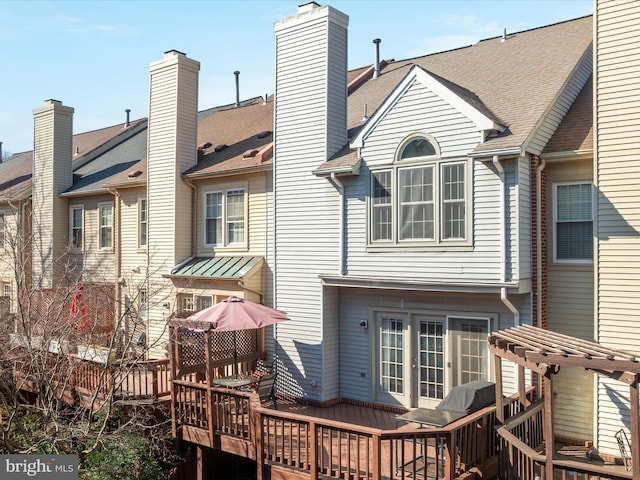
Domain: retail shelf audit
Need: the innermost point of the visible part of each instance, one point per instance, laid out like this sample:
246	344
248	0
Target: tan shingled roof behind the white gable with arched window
517	80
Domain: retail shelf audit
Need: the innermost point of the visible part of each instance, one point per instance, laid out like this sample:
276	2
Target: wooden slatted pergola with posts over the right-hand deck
544	352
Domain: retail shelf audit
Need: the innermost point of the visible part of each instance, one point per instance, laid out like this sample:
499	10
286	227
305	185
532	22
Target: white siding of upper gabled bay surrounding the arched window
419	110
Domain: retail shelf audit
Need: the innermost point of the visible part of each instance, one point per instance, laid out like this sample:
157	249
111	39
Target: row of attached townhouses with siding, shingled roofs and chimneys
398	213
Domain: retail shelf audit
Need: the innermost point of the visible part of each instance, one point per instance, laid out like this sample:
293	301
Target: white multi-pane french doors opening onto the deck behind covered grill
420	356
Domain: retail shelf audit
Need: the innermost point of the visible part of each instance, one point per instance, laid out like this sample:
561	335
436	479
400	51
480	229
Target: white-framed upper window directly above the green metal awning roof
225	217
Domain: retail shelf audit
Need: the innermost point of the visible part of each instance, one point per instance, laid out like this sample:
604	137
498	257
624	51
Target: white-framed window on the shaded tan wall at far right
573	222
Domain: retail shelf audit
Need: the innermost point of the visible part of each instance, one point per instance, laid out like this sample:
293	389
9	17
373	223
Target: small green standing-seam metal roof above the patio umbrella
218	267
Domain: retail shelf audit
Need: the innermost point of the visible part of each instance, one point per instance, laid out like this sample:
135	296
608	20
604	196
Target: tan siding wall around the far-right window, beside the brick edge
570	311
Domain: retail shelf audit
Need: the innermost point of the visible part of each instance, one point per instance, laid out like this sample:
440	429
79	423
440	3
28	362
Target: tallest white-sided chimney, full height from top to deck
306	207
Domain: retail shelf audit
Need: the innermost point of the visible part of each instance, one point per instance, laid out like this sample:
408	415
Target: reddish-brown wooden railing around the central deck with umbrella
320	448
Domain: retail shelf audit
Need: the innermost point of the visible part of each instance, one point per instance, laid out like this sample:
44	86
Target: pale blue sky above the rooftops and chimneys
94	55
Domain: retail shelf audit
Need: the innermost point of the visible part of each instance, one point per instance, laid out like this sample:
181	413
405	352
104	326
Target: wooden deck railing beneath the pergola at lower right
521	453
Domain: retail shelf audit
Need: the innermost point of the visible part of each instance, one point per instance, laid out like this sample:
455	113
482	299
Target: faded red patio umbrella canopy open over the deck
235	313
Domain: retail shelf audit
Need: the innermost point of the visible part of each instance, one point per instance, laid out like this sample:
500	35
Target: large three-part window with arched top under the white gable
420	199
